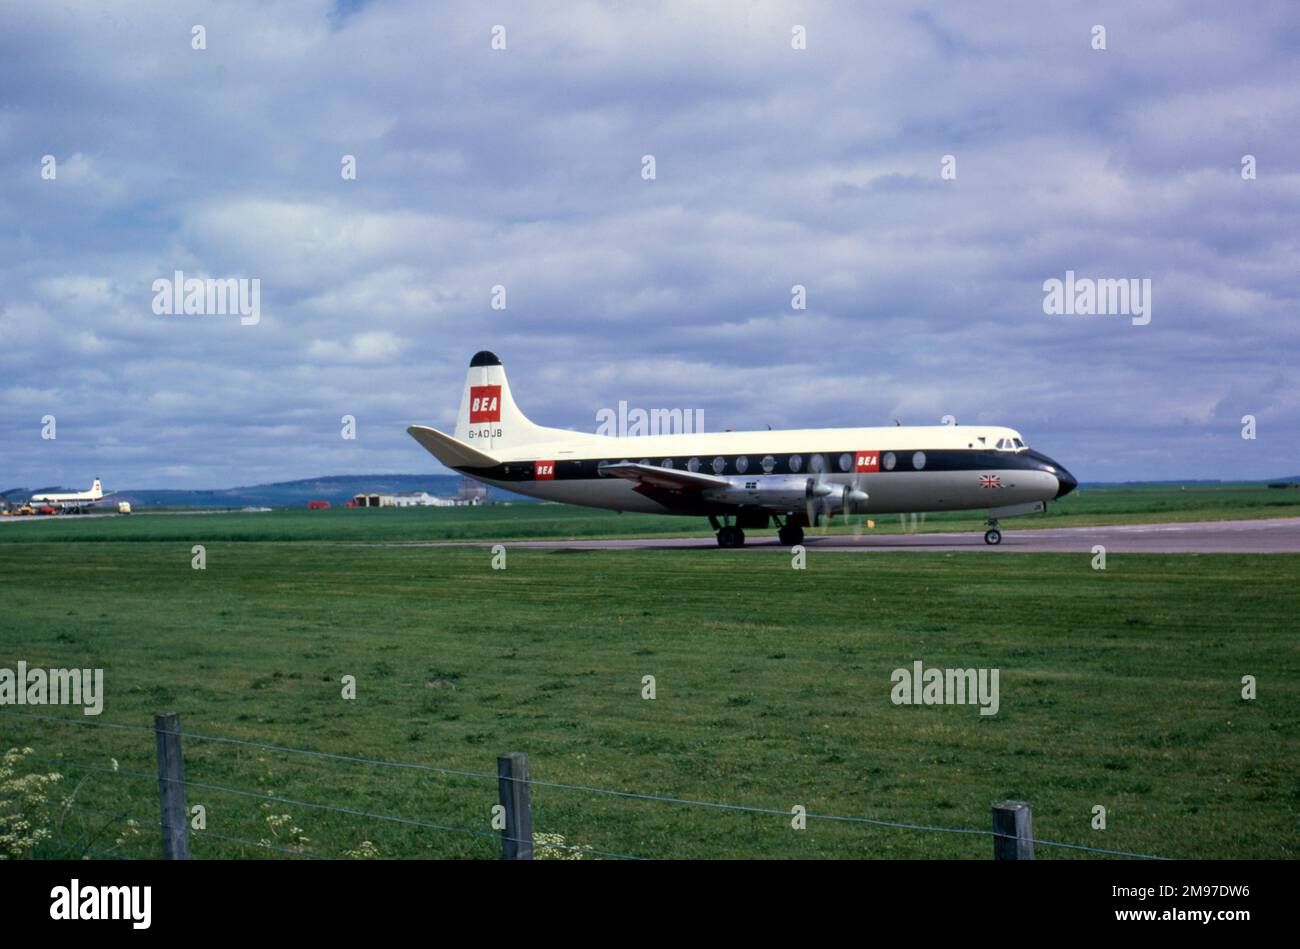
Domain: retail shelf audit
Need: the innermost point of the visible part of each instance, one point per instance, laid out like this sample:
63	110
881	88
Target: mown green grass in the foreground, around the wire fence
1119	688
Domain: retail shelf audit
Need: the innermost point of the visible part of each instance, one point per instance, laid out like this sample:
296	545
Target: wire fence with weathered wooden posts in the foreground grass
1012	821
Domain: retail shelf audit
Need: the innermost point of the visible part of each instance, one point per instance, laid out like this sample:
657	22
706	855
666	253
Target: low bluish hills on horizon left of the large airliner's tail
336	489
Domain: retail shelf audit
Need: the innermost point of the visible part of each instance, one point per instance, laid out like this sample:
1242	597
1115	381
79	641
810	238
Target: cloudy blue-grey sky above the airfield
525	168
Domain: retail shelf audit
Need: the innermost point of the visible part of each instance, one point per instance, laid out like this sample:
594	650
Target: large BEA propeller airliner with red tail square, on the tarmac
752	480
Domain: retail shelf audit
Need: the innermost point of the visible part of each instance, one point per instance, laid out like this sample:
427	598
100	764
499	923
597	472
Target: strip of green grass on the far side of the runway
534	522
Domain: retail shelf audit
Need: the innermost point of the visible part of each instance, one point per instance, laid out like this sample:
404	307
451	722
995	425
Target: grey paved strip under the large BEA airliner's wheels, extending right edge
1273	536
